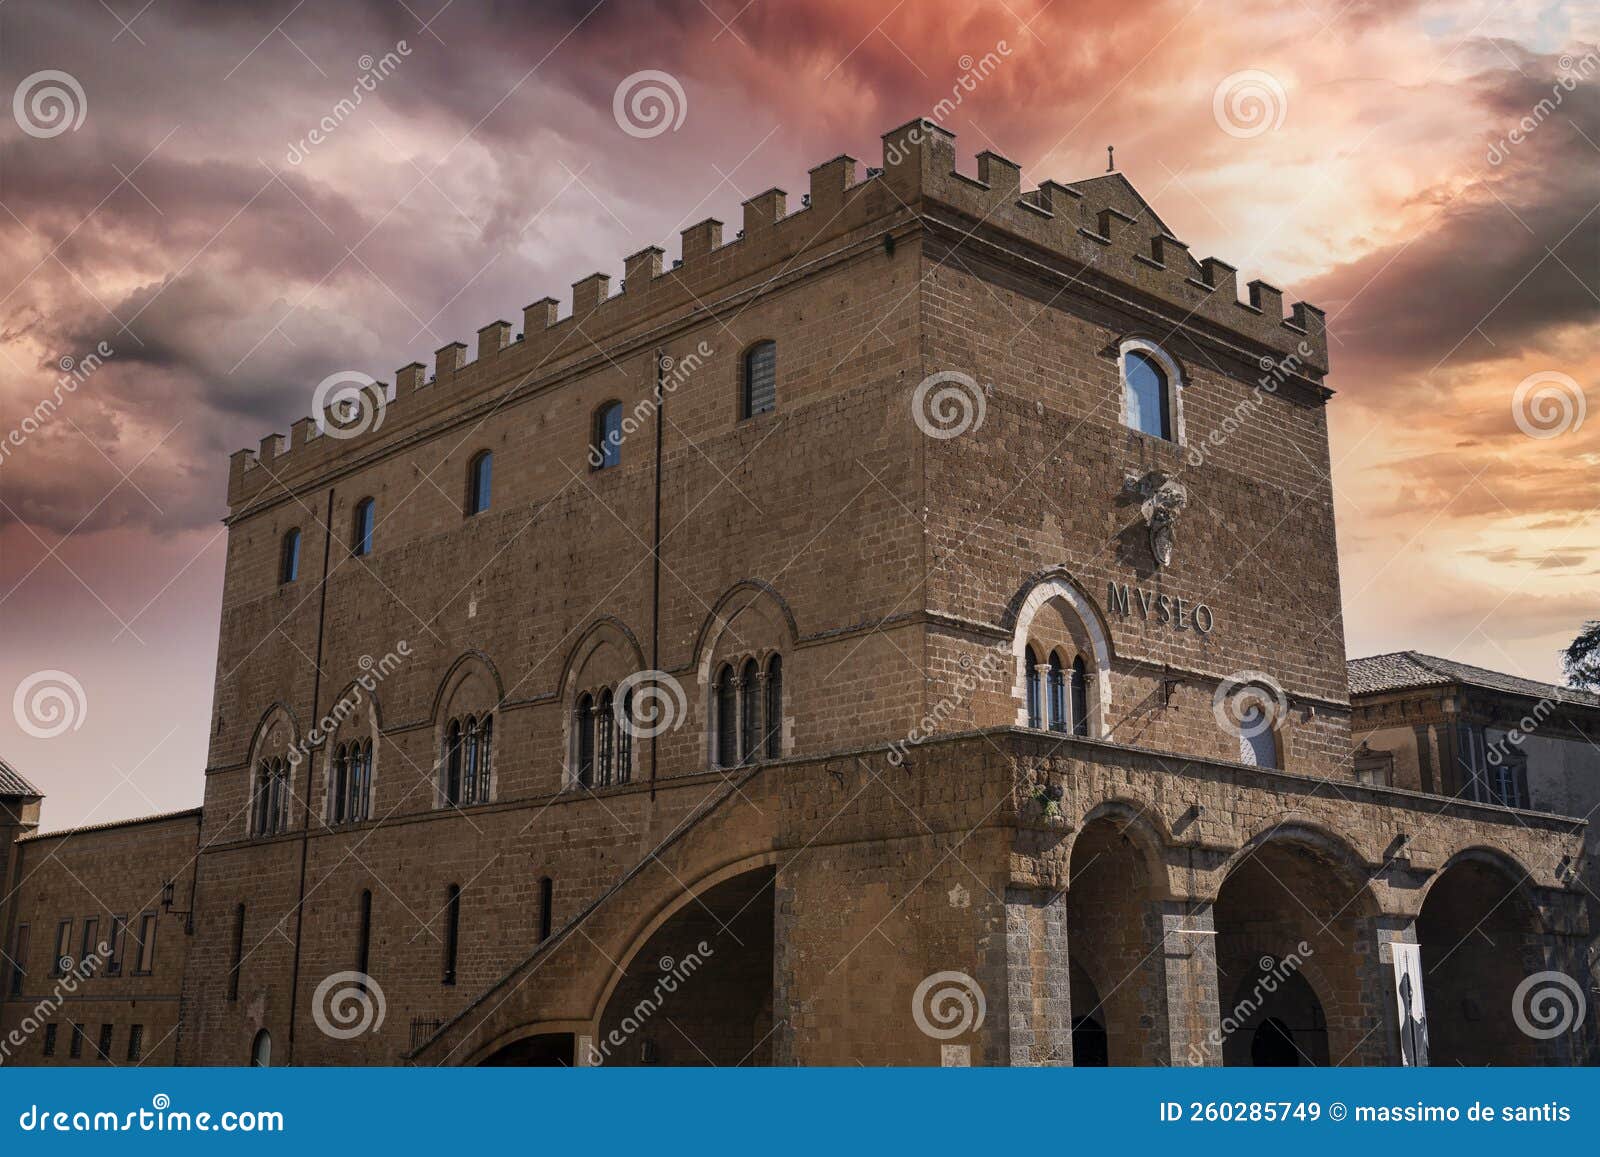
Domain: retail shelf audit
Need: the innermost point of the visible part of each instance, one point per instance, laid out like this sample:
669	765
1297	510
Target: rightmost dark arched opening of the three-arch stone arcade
1481	940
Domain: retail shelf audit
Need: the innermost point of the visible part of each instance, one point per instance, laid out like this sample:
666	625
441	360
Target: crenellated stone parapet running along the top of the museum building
1098	233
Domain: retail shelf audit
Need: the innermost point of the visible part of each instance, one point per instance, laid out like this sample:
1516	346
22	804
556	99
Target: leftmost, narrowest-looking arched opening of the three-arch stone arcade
1113	950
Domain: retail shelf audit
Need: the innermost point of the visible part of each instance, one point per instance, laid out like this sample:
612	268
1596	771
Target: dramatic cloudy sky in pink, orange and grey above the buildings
1426	174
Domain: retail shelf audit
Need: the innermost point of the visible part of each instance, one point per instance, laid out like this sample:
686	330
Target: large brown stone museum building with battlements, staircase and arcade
906	633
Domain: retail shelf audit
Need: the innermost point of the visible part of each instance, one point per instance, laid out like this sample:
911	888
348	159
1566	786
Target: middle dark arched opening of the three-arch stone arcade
1297	972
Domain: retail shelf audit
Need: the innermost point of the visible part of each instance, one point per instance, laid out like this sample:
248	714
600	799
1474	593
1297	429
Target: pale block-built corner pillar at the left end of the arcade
1039	993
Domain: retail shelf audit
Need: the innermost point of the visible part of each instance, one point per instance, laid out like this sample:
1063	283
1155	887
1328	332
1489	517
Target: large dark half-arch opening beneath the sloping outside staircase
700	990
